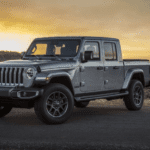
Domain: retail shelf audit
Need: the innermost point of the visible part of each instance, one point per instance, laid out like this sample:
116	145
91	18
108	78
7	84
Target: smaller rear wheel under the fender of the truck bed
134	101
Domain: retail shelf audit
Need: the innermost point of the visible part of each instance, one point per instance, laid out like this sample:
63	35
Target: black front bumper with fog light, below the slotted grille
19	96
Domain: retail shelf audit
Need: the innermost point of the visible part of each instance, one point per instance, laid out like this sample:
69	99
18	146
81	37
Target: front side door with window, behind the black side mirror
92	71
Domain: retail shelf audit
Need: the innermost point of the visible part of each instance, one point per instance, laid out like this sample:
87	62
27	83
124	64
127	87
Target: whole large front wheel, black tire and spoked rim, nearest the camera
56	105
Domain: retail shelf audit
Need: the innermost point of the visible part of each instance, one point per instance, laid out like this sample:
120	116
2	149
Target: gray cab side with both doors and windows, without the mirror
105	71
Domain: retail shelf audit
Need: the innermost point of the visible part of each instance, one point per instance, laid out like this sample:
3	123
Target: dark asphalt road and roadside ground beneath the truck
102	125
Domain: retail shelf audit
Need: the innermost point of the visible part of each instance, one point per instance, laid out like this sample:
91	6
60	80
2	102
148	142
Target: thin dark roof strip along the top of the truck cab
79	37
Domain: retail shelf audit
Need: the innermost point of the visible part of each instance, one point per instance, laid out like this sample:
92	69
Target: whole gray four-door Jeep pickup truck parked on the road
58	73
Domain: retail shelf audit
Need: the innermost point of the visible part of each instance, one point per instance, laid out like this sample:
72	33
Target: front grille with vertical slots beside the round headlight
11	76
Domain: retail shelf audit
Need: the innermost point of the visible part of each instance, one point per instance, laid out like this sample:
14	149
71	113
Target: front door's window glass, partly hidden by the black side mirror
92	46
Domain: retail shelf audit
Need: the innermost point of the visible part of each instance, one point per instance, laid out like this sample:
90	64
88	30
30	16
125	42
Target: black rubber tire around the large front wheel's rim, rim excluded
40	106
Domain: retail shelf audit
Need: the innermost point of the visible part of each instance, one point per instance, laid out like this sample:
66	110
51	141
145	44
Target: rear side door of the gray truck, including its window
113	71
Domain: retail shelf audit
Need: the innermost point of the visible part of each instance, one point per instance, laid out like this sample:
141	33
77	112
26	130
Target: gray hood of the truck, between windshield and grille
43	64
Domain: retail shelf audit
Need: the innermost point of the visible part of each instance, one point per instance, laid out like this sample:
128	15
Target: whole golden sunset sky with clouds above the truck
128	20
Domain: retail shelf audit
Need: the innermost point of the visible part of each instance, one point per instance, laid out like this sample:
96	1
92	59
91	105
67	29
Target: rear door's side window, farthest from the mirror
110	51
